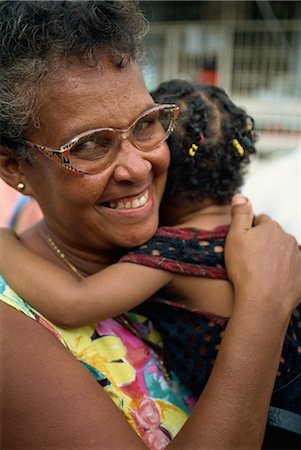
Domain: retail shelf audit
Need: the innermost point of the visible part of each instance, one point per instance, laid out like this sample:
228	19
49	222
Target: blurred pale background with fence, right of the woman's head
253	50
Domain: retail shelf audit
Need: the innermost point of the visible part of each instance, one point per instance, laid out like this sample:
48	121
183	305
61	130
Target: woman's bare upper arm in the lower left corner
43	384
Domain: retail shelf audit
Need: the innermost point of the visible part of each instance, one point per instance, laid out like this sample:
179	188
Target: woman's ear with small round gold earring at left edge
11	171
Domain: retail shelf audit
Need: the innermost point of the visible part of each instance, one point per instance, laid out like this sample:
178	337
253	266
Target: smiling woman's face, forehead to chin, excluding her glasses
81	209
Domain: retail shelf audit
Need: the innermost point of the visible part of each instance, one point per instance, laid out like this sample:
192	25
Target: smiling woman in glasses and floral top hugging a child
71	69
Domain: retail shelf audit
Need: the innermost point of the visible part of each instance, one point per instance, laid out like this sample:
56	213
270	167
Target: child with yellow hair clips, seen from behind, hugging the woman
210	150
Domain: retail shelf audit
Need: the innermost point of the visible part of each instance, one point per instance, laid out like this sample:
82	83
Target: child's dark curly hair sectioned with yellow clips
211	145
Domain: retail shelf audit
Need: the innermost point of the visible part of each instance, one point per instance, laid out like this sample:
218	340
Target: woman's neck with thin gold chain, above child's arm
47	244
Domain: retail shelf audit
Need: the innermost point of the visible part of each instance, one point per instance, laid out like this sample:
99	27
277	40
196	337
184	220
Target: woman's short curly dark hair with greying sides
38	37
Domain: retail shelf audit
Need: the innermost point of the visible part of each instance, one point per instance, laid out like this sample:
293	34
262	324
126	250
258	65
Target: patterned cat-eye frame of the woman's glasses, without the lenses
61	155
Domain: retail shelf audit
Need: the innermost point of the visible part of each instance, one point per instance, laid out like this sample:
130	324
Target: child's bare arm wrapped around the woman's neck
70	302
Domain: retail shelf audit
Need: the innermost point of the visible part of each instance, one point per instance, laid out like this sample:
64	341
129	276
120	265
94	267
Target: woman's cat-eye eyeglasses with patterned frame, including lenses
94	150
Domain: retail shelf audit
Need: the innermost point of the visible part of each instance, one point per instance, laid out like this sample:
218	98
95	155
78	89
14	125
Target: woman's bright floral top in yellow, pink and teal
128	369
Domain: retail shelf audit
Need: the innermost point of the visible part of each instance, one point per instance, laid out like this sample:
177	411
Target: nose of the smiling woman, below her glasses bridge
131	164
